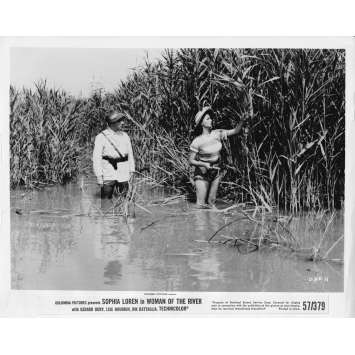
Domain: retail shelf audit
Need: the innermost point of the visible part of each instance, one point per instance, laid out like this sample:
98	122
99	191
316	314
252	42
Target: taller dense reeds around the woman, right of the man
291	152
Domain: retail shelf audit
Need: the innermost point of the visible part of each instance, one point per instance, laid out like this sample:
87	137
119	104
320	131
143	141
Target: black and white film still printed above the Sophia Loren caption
177	169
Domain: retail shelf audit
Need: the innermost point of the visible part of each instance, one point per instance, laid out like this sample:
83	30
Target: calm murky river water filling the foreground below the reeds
60	242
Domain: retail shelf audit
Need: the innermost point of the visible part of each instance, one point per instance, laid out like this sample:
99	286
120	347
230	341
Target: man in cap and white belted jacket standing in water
113	157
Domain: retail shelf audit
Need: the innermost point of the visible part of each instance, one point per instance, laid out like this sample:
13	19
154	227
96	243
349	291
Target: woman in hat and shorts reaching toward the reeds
206	156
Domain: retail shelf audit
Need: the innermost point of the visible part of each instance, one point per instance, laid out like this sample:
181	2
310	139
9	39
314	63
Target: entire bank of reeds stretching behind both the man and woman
290	155
